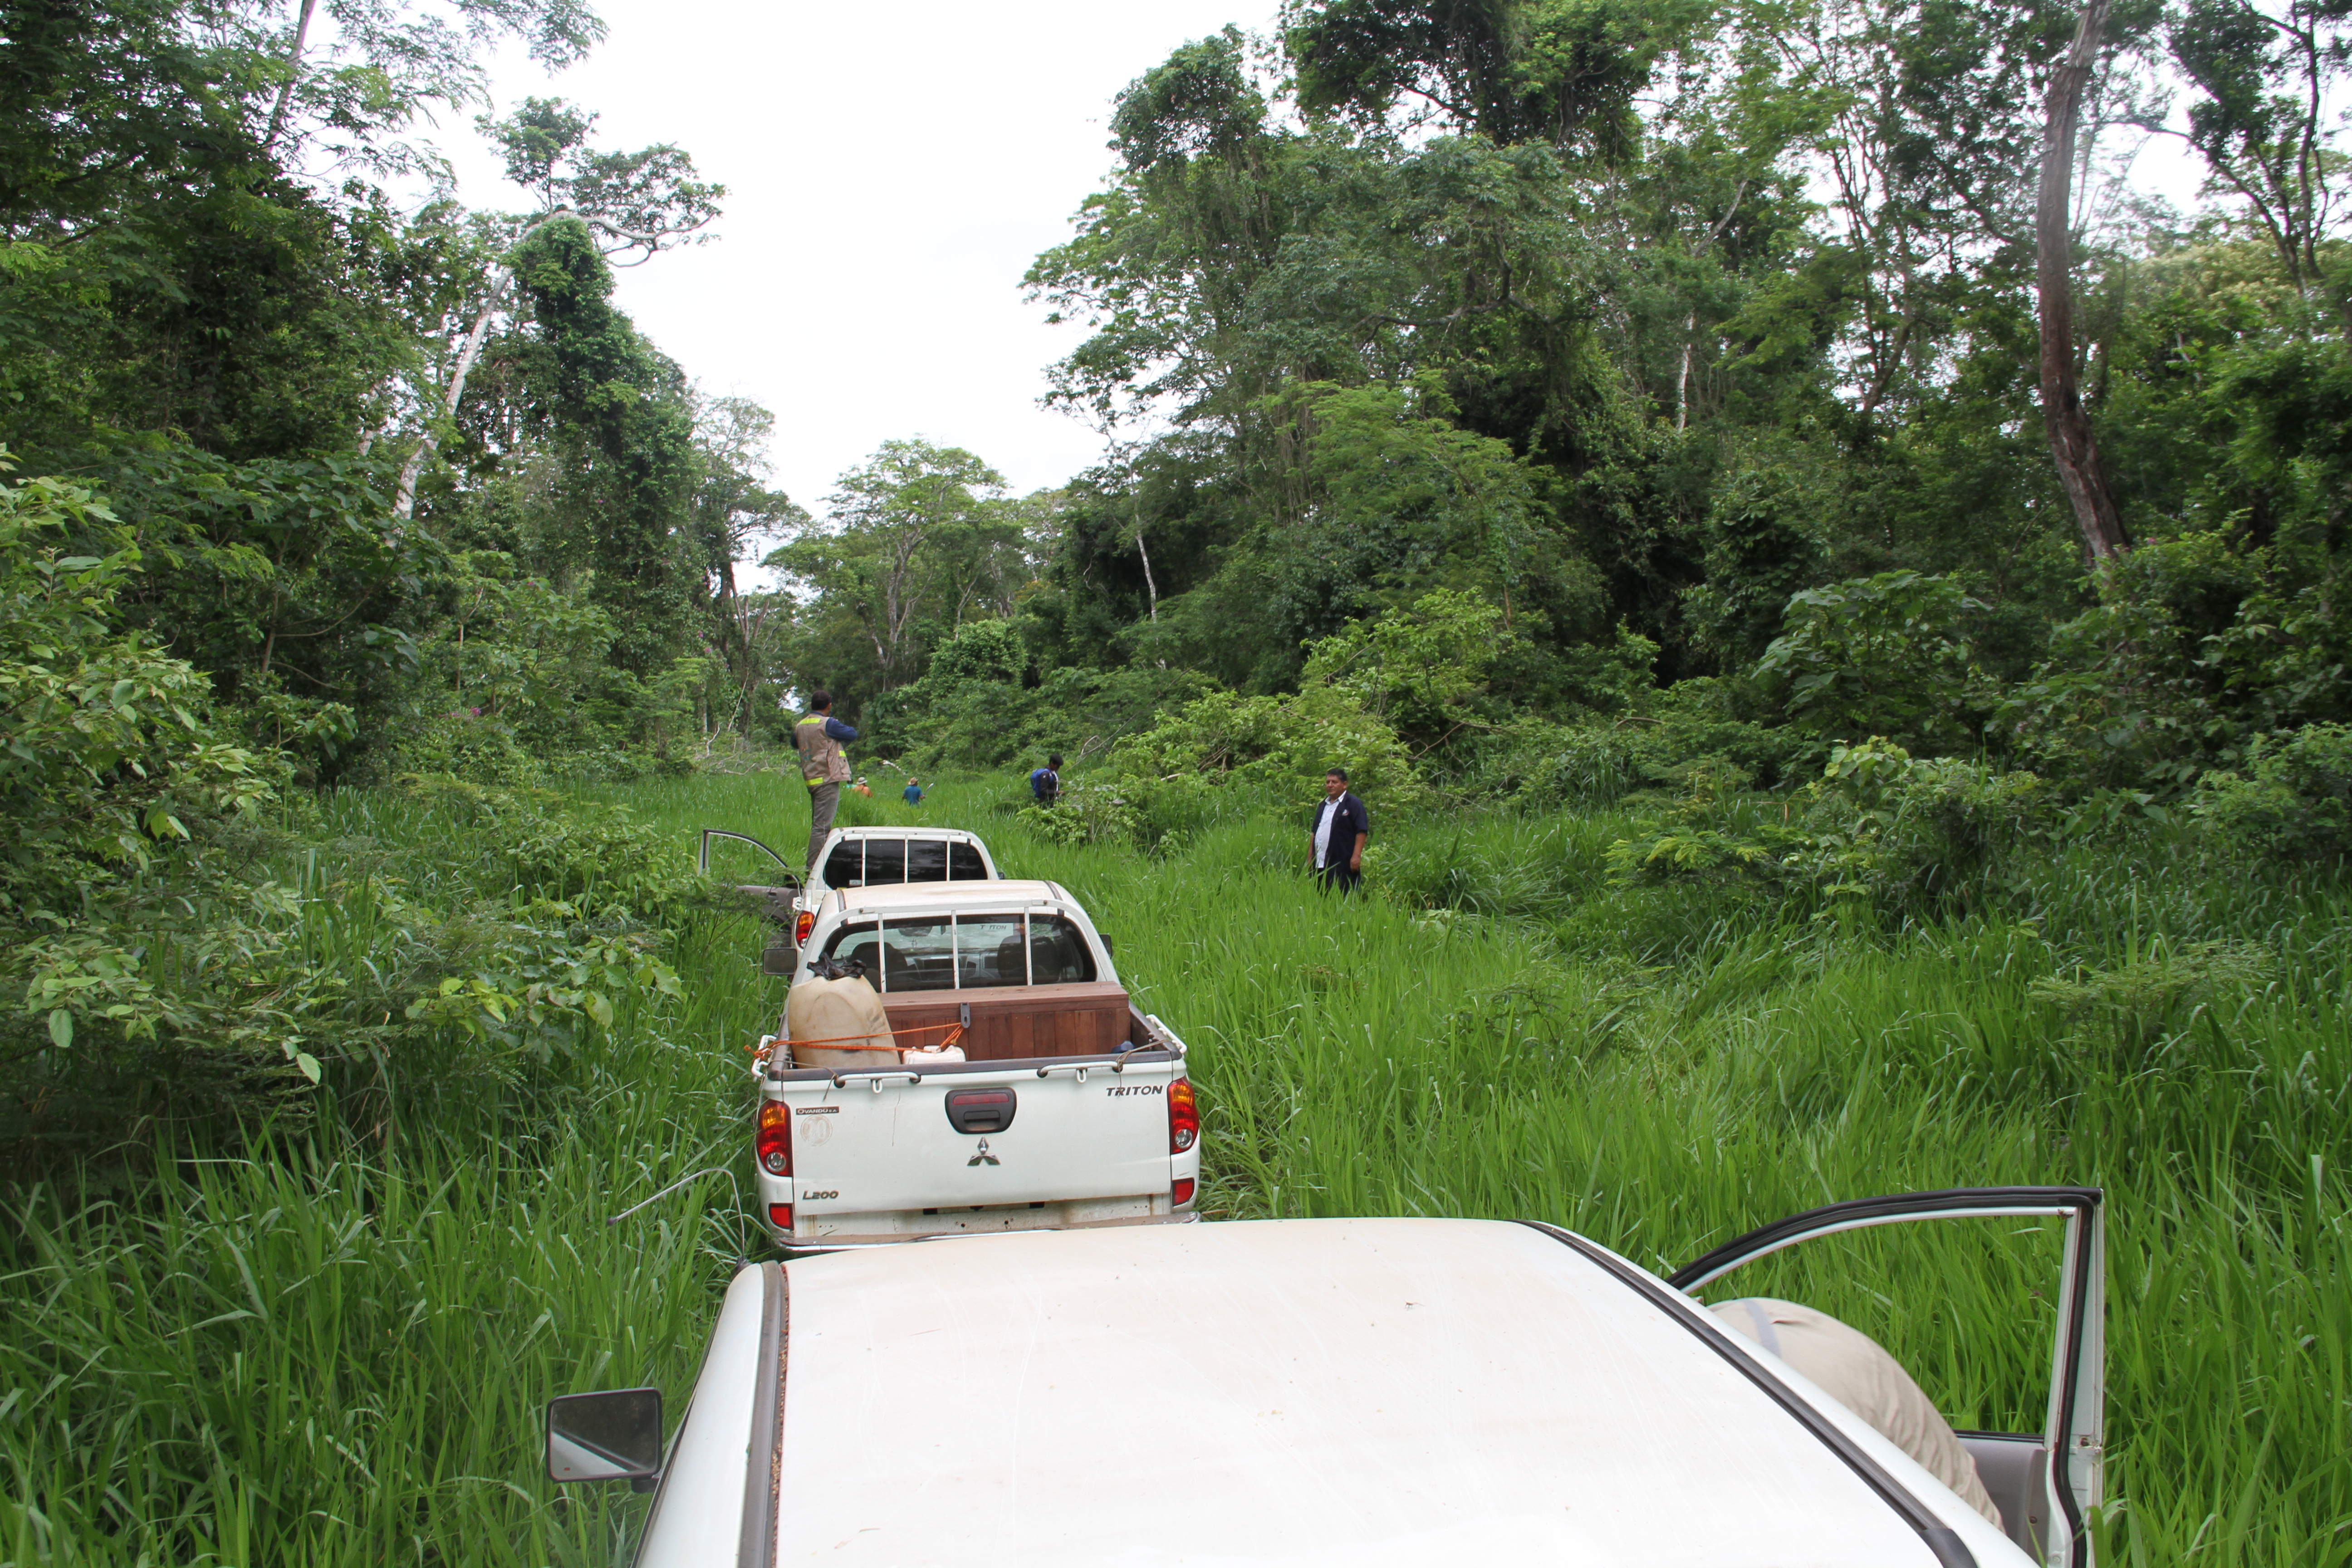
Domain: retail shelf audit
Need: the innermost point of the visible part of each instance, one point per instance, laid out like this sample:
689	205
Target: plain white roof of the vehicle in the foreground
1290	1393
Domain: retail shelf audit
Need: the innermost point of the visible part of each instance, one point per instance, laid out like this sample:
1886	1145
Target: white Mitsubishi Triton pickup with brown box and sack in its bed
1071	1106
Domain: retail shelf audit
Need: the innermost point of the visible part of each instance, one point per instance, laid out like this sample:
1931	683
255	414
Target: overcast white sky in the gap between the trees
890	177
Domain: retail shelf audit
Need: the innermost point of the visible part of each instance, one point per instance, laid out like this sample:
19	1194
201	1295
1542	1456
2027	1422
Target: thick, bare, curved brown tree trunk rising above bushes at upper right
2054	272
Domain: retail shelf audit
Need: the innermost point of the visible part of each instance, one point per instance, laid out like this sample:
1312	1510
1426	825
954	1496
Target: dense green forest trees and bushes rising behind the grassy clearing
1528	403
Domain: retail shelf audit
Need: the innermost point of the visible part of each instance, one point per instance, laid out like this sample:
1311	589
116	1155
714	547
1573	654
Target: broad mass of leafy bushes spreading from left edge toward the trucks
168	937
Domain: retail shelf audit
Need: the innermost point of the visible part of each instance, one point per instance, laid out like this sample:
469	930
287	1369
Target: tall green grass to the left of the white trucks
333	1346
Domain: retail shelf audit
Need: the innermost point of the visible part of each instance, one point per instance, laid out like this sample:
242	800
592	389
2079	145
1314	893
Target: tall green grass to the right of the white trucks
1662	1068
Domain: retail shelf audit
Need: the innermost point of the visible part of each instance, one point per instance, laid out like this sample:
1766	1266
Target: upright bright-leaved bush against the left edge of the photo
112	777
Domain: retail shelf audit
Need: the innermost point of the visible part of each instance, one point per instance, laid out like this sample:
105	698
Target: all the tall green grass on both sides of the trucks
1655	1068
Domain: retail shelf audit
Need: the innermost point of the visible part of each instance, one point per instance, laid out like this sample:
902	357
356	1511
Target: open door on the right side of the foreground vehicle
2024	1470
